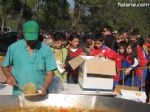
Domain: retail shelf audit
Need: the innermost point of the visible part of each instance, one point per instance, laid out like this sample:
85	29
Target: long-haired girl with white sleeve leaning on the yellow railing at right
131	62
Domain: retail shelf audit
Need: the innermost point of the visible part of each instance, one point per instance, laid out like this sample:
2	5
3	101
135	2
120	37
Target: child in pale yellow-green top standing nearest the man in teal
60	54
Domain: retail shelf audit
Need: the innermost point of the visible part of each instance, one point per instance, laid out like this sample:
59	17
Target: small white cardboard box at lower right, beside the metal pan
134	95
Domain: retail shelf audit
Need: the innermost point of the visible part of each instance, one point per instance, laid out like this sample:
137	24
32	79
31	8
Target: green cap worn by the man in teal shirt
31	30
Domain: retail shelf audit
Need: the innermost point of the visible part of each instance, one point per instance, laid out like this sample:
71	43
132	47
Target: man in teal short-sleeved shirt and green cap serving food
31	61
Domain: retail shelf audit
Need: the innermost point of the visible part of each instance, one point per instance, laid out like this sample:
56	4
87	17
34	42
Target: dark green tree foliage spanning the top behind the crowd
54	14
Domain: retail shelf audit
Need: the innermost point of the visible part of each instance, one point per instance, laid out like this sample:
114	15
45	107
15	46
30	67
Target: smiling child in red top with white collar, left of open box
73	51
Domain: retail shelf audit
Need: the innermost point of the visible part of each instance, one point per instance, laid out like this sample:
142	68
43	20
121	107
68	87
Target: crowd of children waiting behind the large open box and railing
128	49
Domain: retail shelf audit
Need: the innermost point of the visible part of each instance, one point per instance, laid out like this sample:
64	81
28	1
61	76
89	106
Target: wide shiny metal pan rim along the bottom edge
77	101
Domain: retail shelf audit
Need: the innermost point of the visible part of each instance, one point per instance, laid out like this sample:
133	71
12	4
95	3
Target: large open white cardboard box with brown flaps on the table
94	74
